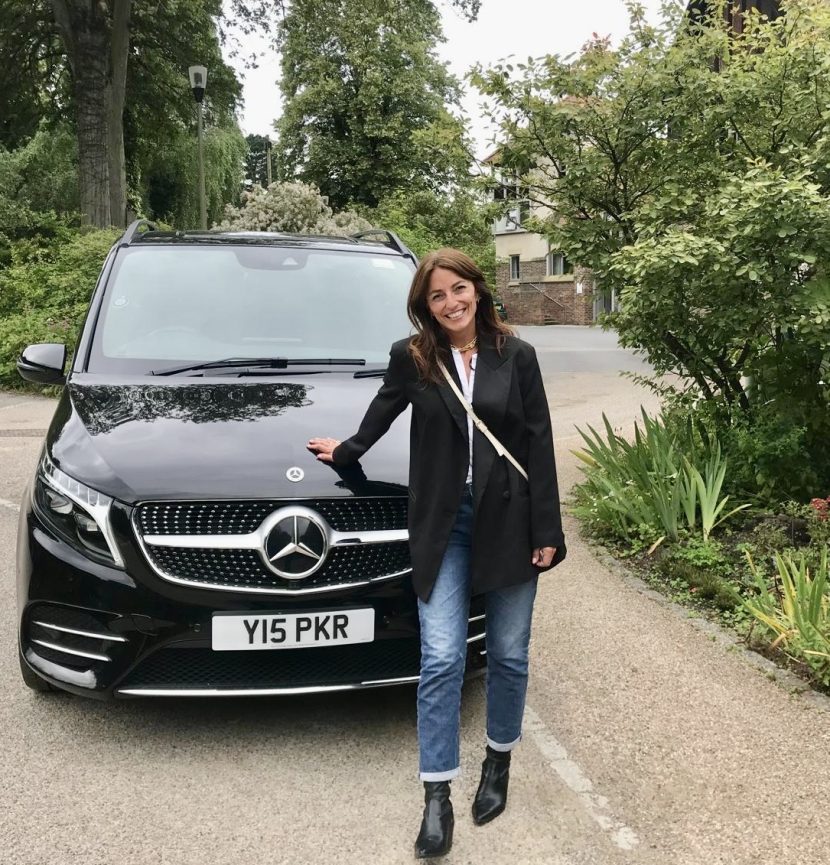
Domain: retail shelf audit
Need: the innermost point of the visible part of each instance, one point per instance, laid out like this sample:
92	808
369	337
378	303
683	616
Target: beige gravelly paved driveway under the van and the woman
646	741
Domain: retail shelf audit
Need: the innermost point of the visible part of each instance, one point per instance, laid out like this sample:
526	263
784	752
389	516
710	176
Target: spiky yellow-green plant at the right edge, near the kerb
795	610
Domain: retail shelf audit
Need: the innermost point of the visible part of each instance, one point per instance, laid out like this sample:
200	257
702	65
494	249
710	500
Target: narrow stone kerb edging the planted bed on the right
725	638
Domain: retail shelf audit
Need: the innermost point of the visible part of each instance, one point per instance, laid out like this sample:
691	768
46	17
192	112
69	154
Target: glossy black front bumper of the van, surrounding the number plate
108	633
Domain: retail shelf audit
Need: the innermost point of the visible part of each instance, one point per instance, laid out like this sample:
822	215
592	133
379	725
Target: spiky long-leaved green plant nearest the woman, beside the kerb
654	487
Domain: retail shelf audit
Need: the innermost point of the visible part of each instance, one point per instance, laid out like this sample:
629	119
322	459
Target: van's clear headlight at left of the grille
77	512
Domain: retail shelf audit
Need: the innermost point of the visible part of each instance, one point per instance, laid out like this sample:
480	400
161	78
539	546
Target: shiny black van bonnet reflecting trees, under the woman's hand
206	439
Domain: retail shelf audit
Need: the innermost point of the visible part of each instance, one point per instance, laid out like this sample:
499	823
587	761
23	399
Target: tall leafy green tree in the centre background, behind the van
366	100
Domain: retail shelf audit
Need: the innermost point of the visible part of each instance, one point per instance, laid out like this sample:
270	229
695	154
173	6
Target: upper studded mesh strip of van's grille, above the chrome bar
238	518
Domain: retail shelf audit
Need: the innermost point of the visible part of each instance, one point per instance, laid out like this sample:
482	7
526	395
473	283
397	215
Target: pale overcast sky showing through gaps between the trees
504	27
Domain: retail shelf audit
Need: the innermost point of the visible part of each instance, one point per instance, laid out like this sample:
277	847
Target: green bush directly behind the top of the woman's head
427	220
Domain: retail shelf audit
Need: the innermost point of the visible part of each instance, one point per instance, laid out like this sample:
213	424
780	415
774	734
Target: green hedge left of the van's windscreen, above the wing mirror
45	291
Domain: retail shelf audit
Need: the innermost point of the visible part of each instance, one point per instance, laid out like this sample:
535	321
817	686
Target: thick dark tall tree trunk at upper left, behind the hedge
96	38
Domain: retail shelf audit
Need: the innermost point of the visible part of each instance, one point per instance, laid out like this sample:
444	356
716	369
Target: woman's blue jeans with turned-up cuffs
444	621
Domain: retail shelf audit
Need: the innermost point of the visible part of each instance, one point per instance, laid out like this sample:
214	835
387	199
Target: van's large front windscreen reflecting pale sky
179	304
